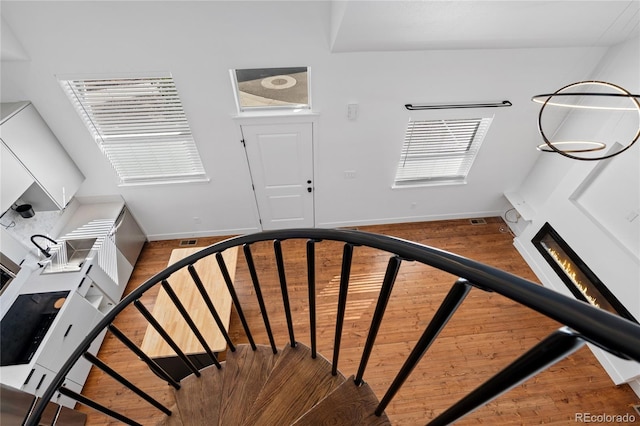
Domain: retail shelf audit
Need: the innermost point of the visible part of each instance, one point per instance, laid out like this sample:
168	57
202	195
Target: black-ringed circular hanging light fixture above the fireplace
602	97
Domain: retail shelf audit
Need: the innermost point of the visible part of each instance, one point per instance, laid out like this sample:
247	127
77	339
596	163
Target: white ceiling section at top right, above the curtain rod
423	25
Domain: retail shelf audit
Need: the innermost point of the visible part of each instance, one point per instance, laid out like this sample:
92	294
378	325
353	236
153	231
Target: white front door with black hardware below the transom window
281	162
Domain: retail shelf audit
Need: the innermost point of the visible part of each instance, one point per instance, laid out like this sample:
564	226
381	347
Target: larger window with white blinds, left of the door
140	126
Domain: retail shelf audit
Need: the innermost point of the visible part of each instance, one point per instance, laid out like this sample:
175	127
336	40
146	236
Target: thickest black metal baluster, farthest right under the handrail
552	349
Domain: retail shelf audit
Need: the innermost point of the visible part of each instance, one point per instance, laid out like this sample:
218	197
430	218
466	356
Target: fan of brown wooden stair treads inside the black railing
259	387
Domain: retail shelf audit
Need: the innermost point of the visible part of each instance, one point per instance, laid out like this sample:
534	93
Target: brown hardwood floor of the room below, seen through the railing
487	332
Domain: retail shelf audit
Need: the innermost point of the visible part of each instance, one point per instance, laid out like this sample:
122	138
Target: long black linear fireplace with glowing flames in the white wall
575	274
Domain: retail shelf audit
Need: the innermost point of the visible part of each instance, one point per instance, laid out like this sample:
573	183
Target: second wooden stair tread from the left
245	373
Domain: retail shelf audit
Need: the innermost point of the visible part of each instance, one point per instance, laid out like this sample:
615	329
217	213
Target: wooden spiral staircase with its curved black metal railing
262	384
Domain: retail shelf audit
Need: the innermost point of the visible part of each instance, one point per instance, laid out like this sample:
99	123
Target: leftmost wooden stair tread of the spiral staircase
198	398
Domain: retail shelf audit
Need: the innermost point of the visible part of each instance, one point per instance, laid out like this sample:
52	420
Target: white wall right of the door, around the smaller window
382	83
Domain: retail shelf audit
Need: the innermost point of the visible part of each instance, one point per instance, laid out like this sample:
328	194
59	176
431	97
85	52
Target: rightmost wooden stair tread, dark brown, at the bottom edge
348	404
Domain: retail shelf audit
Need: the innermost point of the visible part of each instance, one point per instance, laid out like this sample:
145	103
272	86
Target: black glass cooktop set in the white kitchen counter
25	325
